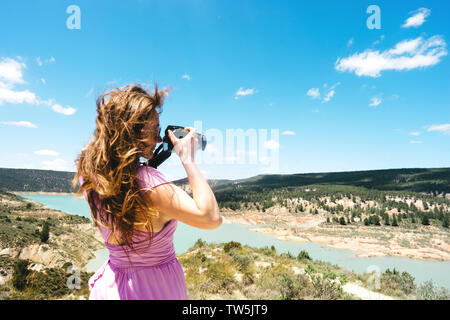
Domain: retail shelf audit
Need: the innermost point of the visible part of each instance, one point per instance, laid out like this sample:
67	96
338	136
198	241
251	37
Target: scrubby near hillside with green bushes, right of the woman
234	271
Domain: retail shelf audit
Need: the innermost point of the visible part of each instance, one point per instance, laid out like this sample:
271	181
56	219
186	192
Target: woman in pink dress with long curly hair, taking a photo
135	208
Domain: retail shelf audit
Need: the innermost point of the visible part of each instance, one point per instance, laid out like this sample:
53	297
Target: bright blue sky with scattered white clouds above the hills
342	96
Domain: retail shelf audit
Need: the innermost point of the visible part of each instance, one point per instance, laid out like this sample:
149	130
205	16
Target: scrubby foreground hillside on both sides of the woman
33	268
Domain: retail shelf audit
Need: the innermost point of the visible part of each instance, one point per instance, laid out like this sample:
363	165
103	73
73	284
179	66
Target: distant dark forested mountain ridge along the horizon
433	181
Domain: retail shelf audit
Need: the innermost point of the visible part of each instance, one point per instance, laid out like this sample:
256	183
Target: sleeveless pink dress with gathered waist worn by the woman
155	273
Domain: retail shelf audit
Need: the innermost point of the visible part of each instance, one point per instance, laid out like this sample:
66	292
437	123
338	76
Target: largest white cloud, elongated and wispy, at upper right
406	55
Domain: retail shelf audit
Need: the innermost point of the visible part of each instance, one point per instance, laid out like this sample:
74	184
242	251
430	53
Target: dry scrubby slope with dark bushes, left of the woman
45	257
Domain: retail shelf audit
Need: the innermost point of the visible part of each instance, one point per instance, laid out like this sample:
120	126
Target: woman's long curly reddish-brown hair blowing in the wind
108	164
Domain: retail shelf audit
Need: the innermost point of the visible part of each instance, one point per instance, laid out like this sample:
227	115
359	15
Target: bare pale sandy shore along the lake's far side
364	241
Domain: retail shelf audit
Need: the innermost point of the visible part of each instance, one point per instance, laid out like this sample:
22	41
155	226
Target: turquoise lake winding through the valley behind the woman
185	237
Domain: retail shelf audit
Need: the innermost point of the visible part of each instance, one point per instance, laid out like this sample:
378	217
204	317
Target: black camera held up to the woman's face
165	149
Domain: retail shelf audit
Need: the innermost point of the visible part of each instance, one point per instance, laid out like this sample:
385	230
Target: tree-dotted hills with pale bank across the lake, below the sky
377	213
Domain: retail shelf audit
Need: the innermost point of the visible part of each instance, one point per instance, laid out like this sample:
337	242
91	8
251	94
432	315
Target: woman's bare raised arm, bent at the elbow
202	210
